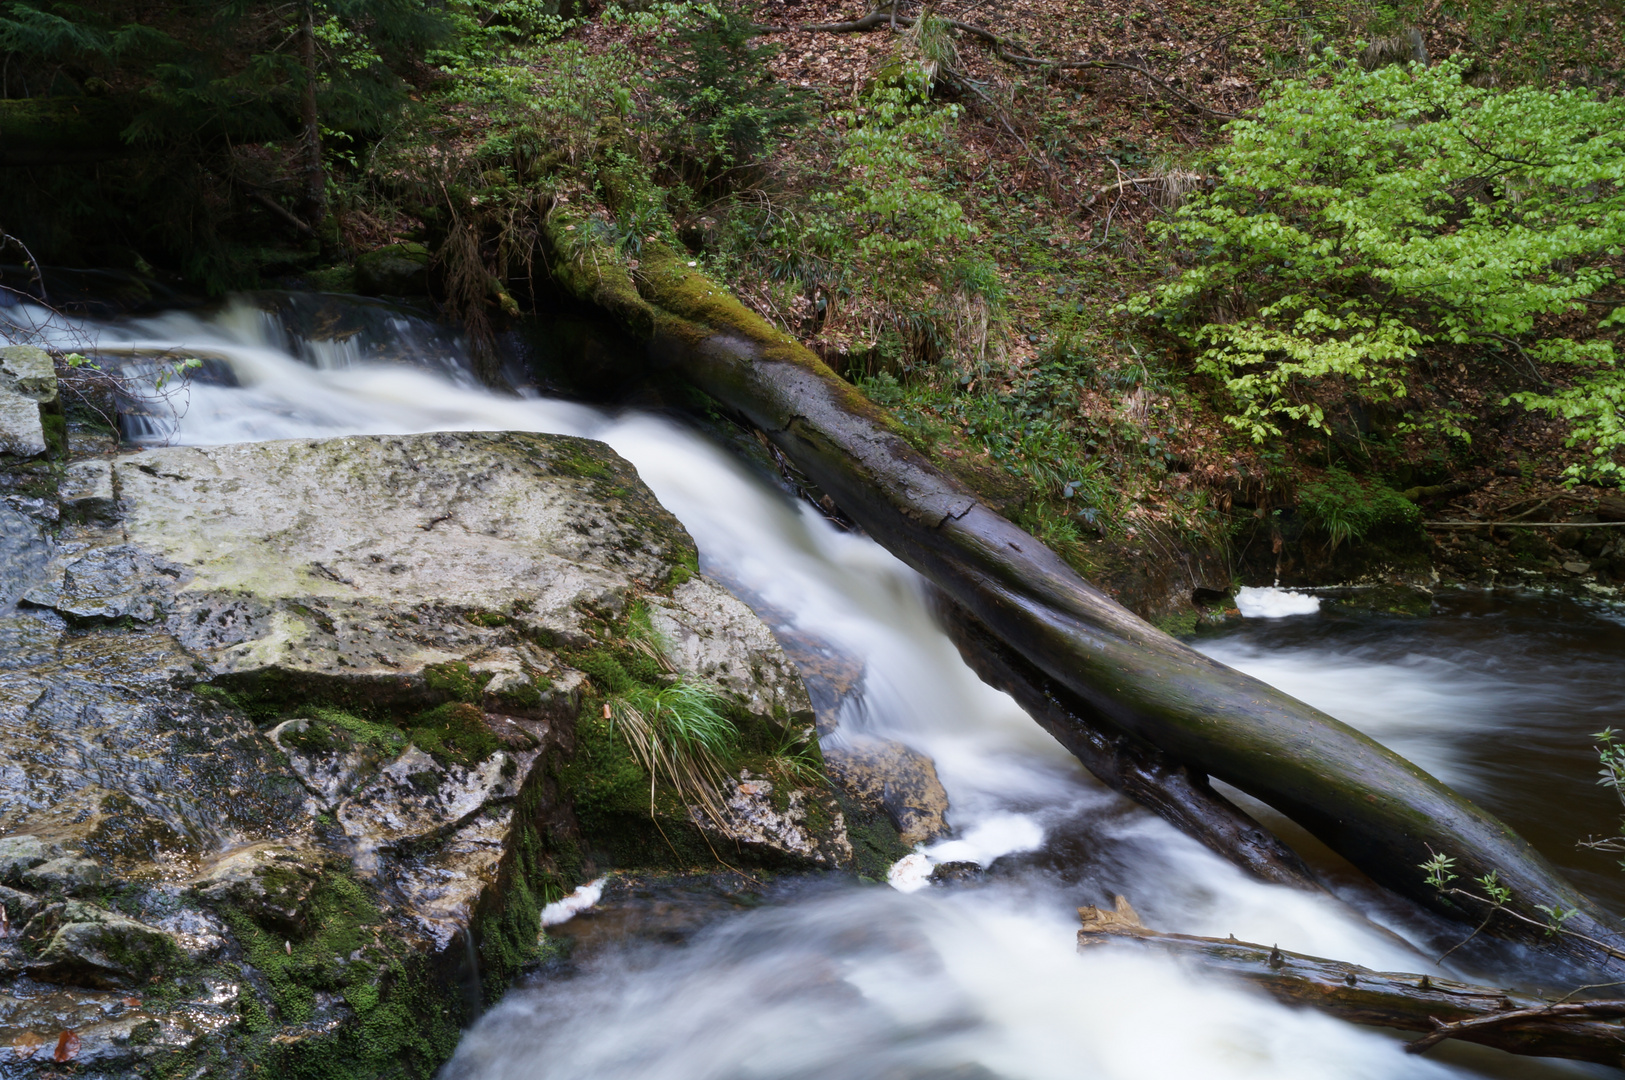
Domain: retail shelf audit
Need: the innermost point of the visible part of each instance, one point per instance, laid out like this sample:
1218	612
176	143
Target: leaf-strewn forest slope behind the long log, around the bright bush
1078	423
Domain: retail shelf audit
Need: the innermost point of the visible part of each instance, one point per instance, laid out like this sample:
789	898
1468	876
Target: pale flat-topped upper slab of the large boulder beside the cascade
381	556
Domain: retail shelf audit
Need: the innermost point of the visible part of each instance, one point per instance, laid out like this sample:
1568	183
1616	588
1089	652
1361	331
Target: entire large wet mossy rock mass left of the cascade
285	732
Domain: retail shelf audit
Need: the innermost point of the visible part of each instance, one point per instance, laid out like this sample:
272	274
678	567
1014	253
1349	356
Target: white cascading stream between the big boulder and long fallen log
862	982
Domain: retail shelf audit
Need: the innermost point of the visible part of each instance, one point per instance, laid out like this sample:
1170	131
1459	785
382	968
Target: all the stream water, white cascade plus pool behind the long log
862	982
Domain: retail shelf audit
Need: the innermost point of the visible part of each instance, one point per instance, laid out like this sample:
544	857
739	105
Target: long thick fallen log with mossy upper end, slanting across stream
1369	805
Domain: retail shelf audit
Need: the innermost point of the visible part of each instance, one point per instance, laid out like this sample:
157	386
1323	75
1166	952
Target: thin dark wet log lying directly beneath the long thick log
1155	780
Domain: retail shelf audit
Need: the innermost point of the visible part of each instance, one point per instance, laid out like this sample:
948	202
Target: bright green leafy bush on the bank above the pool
1364	218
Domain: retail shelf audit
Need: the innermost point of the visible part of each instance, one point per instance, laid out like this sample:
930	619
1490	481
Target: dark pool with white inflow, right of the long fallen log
1499	696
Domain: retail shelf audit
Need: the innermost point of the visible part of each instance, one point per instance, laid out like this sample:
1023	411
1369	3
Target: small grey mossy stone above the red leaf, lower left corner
87	946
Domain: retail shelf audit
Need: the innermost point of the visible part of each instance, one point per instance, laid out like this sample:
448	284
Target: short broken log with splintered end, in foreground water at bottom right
1509	1021
